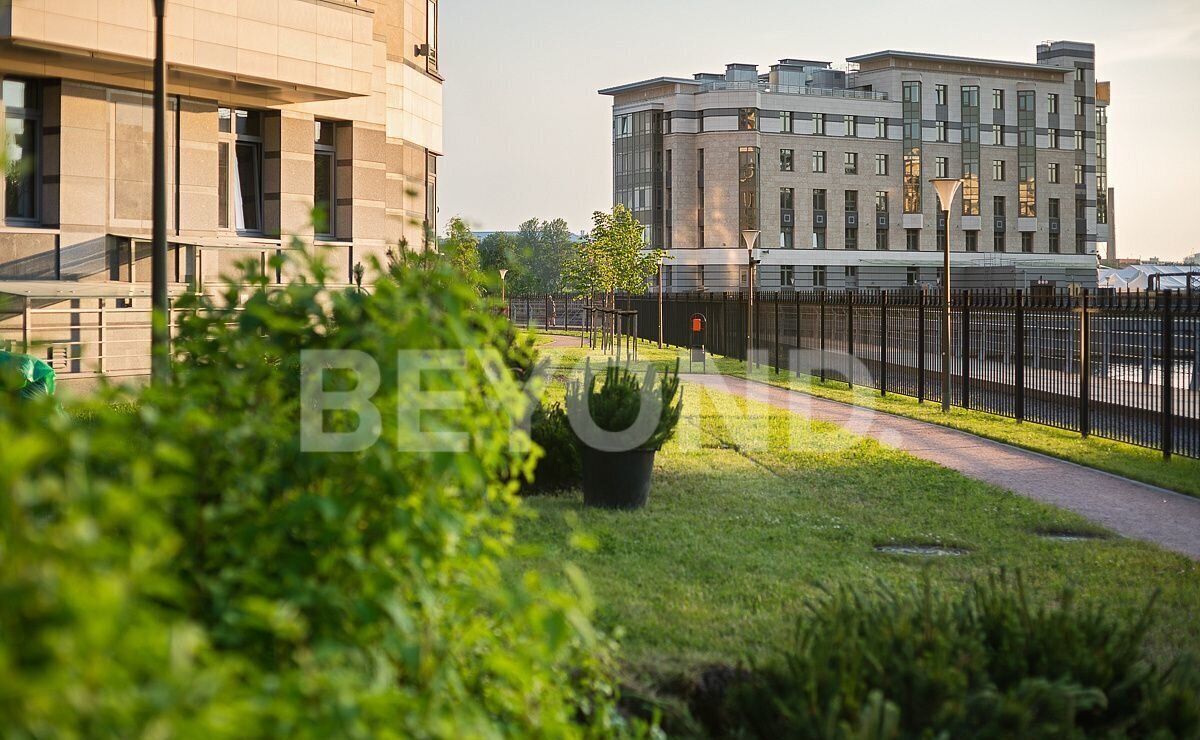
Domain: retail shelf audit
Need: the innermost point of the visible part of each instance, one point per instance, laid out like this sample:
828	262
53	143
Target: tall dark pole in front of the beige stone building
160	339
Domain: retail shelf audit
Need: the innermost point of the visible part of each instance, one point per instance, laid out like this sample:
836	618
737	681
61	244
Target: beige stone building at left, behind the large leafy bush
274	107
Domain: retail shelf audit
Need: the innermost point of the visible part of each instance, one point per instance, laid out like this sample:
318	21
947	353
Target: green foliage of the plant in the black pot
615	407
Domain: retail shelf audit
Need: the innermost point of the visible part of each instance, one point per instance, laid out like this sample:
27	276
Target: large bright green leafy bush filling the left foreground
185	569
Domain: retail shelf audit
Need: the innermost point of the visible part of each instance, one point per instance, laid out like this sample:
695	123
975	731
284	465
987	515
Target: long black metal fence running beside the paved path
1016	354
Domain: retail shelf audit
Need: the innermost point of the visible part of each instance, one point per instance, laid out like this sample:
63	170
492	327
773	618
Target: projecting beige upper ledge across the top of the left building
285	51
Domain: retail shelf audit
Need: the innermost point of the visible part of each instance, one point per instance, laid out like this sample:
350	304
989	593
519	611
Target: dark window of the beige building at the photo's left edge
22	149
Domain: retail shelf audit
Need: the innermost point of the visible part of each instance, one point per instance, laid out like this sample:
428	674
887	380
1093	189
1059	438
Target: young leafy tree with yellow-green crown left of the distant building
614	258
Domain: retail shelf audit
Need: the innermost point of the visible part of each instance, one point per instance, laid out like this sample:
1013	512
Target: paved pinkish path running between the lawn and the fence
1129	508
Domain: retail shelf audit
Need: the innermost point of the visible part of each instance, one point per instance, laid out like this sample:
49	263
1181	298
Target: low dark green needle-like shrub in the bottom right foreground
986	665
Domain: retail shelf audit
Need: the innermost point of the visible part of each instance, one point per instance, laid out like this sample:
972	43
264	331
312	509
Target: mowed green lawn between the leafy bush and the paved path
753	510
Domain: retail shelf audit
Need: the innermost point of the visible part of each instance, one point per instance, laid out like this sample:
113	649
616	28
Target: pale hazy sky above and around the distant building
527	136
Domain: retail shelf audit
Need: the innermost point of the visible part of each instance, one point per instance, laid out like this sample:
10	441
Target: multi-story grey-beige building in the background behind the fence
827	171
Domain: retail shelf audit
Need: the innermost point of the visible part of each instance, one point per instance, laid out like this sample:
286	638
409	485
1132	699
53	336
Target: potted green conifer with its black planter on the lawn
621	426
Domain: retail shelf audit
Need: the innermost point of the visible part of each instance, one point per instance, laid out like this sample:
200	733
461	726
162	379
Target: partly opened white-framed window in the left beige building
241	152
